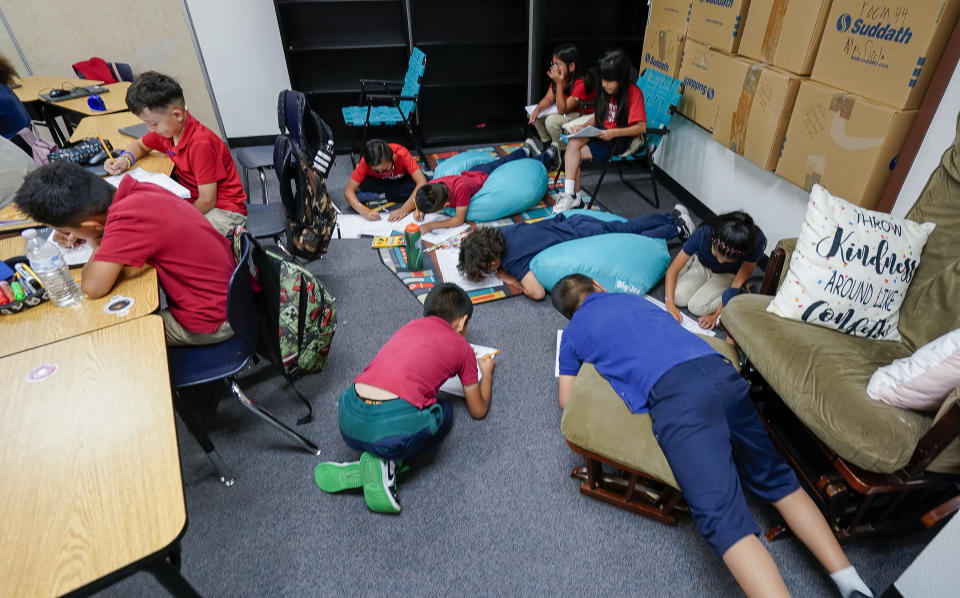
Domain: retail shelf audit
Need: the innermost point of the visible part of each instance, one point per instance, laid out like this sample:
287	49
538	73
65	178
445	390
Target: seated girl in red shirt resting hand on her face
569	90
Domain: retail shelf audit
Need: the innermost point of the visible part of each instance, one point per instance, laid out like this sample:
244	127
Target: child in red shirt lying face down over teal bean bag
457	190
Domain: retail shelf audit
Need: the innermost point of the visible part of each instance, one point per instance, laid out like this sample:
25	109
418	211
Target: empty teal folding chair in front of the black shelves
379	106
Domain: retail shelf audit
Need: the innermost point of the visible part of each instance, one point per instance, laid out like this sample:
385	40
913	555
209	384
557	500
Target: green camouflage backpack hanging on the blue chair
300	318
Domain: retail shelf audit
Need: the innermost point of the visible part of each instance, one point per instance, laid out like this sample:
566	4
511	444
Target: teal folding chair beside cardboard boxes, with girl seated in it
661	95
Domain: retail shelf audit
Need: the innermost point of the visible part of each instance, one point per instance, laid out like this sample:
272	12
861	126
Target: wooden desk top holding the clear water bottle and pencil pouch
47	323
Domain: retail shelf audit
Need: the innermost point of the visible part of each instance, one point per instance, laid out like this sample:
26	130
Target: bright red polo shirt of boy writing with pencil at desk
202	158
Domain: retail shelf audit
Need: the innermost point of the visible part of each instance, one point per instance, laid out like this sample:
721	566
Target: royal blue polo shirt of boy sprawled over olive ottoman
630	341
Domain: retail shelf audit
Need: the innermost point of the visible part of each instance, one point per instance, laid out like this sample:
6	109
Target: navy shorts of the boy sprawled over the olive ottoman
709	431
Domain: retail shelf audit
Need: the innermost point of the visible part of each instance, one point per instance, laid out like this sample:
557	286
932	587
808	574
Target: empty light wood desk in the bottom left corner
92	483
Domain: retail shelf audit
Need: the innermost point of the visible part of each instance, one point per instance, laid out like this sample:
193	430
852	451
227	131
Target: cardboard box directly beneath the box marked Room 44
846	143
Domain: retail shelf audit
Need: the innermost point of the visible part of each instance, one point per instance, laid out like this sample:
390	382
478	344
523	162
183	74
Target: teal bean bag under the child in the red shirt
512	188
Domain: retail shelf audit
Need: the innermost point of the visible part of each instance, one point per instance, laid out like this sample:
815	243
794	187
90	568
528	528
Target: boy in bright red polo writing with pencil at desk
202	160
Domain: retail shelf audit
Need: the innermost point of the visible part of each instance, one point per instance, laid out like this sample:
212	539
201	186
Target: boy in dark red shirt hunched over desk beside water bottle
137	224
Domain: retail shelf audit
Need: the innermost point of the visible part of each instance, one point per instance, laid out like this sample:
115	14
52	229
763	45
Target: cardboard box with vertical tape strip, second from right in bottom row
754	110
